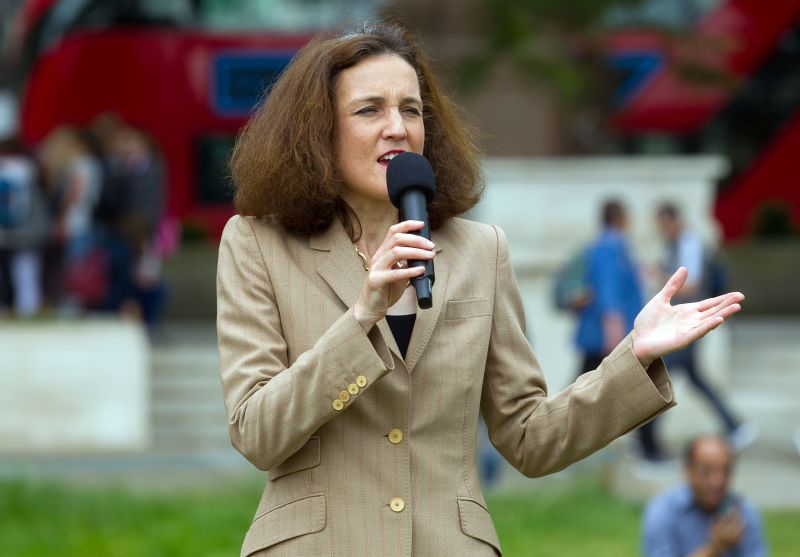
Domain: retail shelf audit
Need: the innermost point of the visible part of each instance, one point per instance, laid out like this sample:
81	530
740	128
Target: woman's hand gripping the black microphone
389	273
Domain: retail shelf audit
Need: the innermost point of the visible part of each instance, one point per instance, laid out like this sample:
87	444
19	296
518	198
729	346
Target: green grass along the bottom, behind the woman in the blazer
46	519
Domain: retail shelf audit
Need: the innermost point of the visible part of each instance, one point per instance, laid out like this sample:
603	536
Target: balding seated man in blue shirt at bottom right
702	518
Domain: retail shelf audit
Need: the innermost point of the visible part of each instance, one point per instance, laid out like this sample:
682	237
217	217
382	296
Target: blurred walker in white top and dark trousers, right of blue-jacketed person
705	279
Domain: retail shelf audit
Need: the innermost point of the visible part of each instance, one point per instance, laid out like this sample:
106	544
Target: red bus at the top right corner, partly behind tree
743	101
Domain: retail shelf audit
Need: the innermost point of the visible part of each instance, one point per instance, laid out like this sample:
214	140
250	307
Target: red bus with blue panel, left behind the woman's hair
176	70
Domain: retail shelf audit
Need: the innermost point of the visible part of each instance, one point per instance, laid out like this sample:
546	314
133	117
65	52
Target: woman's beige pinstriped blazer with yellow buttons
368	453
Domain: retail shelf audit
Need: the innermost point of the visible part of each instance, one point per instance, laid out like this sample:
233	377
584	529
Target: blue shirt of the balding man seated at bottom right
674	526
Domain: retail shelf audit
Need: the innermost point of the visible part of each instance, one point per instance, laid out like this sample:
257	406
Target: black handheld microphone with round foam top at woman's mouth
411	185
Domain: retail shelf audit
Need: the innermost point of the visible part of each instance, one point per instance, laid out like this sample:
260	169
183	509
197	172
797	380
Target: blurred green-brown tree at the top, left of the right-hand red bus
562	44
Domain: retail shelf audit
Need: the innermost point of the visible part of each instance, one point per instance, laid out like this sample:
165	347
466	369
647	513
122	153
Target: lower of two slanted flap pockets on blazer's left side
290	520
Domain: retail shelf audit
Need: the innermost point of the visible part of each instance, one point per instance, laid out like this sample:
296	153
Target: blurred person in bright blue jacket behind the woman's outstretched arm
615	289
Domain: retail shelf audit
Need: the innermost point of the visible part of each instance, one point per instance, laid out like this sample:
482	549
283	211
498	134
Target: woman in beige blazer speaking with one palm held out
362	409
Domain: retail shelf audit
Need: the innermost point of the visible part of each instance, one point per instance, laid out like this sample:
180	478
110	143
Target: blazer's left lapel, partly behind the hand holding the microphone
343	270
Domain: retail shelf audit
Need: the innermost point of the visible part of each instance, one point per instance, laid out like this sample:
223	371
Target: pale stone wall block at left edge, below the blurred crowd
74	386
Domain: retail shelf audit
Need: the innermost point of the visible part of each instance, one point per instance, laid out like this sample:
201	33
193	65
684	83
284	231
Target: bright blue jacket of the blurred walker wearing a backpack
615	284
